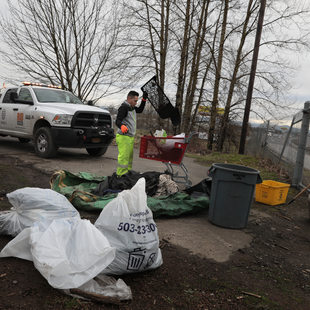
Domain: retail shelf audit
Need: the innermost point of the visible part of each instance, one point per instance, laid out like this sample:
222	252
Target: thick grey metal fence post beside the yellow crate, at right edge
297	176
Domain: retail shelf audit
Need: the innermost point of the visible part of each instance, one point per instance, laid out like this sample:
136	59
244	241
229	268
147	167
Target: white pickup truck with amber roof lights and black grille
54	118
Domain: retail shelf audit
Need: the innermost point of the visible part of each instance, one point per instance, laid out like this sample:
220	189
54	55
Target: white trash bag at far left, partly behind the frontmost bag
31	204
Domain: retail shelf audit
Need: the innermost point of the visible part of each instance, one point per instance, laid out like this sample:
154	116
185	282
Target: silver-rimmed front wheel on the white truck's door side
43	143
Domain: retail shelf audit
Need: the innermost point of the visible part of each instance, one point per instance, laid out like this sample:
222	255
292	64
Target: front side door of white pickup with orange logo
23	112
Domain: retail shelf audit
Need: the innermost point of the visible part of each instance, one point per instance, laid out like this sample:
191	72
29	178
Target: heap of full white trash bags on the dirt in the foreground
76	256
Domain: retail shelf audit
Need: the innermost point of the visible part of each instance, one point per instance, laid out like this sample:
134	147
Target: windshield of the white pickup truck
53	95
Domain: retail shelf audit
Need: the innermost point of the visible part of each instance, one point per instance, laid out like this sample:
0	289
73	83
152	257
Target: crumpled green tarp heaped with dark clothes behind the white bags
89	192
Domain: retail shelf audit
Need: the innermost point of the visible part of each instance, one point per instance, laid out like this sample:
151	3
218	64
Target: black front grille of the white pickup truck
88	119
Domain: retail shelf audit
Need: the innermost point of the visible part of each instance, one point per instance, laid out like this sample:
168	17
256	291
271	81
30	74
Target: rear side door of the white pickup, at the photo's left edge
6	111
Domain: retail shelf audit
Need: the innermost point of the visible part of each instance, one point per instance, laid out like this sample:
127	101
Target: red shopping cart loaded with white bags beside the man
170	151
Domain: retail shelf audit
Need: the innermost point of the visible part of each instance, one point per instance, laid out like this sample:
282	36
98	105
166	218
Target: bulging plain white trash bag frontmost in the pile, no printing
67	252
